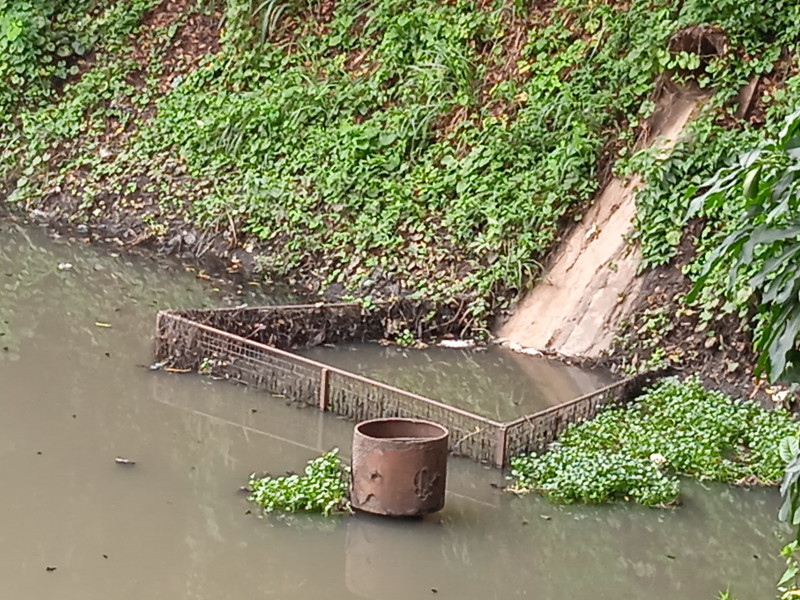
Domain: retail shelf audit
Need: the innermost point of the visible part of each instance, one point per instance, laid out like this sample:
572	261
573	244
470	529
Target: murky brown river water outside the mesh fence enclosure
75	394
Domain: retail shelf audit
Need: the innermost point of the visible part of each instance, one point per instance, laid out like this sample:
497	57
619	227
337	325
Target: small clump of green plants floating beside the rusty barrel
322	488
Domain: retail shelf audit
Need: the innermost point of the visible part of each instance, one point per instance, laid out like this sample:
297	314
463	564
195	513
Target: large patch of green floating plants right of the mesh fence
637	452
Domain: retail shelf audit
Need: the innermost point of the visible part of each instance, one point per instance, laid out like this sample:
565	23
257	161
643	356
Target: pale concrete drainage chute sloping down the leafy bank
590	284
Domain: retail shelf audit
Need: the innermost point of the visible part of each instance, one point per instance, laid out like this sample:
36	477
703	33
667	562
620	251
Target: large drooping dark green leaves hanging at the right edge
759	255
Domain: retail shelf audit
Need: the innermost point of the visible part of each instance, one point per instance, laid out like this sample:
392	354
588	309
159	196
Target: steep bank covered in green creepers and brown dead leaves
411	147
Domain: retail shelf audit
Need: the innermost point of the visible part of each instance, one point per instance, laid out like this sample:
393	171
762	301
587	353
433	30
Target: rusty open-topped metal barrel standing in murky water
399	467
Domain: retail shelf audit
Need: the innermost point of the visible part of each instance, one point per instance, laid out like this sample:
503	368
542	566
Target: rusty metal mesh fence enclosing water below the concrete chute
253	346
